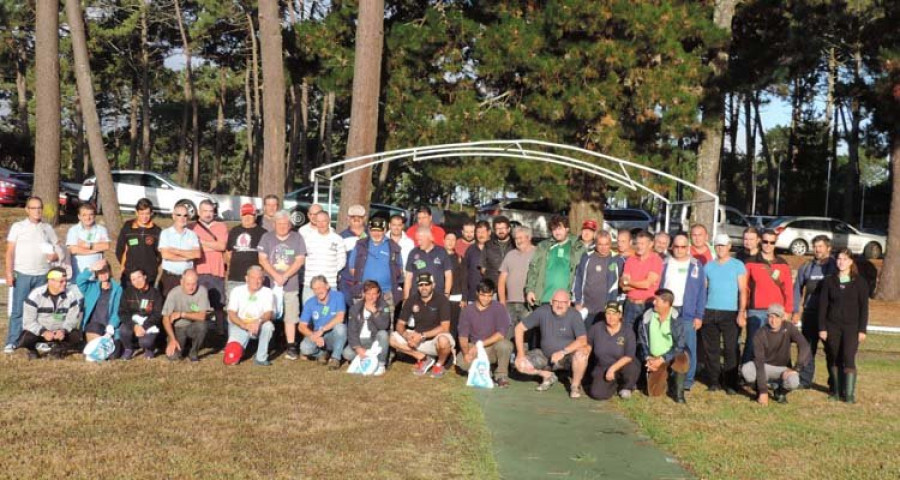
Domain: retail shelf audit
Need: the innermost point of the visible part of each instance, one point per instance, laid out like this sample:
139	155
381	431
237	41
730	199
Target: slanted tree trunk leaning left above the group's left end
104	184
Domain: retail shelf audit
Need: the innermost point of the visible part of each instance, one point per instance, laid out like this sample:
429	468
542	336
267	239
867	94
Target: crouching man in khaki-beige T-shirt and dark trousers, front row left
184	317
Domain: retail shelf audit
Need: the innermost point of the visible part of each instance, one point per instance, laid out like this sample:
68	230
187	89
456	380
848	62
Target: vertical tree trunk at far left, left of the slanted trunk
47	138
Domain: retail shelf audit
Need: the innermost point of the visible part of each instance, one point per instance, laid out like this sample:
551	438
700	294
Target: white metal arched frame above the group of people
533	150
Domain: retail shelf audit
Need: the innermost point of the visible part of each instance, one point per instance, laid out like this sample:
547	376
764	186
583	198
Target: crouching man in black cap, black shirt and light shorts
423	328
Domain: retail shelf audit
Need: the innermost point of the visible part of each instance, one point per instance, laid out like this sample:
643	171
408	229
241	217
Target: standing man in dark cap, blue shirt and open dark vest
376	258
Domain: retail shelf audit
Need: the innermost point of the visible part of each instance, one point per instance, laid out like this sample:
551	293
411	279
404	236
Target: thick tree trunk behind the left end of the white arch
357	185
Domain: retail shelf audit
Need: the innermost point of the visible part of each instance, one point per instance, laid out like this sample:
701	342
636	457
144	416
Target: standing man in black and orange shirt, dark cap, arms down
137	247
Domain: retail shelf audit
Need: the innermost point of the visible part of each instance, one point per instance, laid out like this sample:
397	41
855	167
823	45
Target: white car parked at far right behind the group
795	235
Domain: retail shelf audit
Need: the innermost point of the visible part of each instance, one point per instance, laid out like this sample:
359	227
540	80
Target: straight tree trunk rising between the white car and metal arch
271	180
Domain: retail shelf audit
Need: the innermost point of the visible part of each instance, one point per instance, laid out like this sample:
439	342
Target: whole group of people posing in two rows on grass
657	311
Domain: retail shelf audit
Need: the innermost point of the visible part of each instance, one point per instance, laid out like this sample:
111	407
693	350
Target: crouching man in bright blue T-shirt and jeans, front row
322	324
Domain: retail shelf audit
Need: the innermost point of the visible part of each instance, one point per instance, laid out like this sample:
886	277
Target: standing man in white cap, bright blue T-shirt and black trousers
725	315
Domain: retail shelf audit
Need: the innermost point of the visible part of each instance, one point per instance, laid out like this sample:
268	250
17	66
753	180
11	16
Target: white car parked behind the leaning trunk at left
133	185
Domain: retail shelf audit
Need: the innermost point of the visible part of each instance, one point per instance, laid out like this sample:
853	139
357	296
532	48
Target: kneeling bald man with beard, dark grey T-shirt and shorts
563	344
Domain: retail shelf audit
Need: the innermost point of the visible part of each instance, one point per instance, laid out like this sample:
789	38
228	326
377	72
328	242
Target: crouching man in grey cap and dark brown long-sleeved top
772	357
